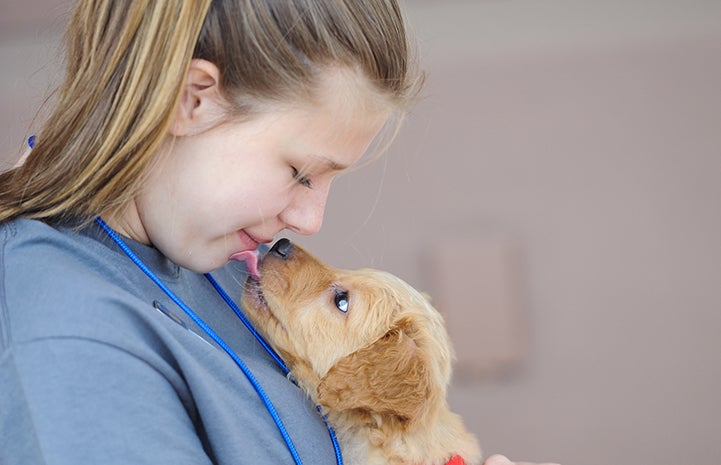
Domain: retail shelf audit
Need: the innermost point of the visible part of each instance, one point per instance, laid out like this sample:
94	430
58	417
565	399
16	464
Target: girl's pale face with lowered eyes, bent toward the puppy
231	186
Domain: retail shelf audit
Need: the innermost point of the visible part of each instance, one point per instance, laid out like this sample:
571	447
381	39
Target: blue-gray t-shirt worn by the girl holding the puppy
91	371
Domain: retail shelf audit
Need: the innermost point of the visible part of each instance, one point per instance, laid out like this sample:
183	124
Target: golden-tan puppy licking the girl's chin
370	350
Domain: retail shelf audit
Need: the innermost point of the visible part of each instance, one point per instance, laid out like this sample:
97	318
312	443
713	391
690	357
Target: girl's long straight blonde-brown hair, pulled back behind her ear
126	63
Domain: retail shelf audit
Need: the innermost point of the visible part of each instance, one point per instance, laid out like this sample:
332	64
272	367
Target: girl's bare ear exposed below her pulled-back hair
201	104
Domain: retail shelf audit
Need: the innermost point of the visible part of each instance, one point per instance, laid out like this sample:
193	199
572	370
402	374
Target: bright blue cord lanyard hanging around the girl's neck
215	337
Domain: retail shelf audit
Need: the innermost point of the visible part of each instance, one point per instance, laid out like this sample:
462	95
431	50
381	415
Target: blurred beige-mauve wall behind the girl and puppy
567	151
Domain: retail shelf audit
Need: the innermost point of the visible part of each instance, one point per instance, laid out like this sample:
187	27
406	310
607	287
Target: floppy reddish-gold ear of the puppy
388	377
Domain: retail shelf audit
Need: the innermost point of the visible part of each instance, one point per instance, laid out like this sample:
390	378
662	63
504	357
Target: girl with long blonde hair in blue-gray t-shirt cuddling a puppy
185	135
